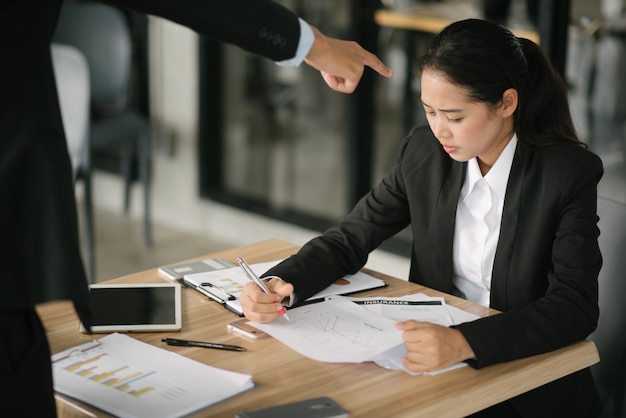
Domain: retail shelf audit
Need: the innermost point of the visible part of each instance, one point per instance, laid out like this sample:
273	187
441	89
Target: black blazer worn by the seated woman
546	265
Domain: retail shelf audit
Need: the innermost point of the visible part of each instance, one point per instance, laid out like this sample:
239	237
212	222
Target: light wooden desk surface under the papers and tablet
364	389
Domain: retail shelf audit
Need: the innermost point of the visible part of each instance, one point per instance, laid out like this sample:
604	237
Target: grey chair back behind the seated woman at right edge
610	336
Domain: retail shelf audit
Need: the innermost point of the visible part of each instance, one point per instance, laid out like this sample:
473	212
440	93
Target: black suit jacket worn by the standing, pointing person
40	258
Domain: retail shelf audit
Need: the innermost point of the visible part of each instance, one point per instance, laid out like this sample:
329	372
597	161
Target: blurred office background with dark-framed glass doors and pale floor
243	150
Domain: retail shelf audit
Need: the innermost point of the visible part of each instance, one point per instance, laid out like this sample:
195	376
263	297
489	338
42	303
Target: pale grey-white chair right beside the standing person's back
71	73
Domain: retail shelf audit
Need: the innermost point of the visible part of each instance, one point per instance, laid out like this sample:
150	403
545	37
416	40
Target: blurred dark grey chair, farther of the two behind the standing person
101	32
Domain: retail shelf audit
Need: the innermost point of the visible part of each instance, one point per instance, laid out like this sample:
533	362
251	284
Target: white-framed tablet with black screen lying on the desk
135	307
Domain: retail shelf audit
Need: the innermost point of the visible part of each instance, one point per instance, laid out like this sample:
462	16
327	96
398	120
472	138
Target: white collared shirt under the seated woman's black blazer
477	229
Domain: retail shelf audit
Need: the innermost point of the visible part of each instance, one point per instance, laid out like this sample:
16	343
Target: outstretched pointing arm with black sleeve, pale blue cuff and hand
268	29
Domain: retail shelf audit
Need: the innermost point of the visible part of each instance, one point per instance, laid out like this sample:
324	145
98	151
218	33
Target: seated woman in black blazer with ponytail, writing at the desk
501	198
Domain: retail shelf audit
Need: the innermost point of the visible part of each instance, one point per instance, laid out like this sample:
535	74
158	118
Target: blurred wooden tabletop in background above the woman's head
432	18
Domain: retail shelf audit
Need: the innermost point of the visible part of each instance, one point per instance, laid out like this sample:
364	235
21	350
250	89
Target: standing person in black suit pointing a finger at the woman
40	258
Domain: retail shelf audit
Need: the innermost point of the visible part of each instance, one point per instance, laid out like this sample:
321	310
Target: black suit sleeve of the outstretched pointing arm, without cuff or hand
262	27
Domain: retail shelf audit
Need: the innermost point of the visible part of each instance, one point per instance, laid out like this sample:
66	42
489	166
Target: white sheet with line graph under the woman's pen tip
335	331
